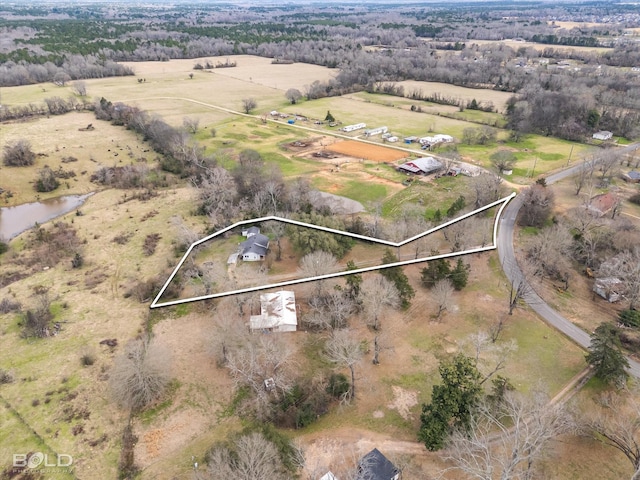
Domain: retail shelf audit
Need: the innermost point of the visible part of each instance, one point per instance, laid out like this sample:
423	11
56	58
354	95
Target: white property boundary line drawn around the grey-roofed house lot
502	201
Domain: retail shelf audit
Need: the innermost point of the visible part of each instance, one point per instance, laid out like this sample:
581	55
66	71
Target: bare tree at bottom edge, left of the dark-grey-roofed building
250	457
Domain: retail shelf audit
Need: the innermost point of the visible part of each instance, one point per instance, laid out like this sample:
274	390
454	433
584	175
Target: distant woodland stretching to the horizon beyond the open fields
580	91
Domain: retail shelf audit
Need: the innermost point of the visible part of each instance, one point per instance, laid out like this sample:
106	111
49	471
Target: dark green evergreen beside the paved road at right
605	354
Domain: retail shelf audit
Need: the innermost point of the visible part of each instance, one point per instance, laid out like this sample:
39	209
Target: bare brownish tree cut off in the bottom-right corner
615	421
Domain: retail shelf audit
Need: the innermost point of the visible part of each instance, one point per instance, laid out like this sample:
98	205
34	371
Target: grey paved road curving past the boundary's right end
514	274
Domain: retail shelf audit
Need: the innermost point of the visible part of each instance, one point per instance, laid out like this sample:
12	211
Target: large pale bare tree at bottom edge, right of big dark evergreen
505	442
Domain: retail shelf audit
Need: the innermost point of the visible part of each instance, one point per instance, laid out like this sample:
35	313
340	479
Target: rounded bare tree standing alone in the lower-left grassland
140	374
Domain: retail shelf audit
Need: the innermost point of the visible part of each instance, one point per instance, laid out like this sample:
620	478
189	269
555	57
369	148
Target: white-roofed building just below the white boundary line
277	313
